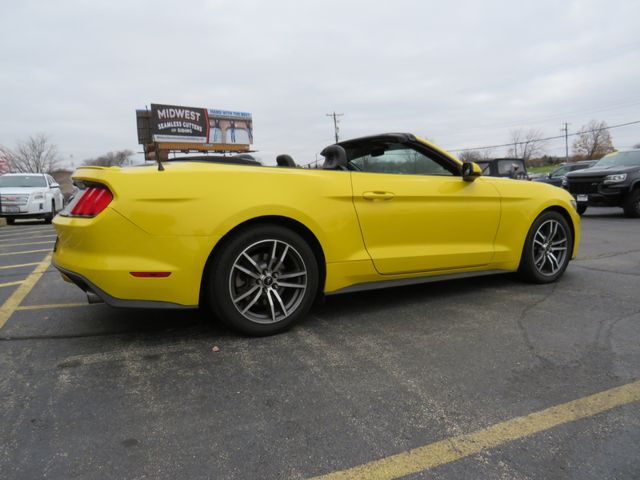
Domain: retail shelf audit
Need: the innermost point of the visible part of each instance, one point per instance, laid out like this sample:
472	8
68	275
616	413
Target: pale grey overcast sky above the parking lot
462	73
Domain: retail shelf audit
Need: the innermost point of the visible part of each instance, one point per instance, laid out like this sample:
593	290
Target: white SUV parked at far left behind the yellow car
29	195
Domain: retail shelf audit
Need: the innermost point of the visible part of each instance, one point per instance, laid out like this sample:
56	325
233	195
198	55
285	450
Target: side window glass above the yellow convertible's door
400	160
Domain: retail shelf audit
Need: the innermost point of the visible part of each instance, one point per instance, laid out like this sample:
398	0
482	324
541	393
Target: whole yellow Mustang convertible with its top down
259	244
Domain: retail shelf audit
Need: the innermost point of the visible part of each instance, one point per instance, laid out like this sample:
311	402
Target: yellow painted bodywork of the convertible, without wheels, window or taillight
172	220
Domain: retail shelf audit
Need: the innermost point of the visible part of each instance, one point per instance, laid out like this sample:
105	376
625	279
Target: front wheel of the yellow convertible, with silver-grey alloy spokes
547	249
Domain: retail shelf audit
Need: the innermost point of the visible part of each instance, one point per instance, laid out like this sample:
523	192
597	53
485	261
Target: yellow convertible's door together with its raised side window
418	215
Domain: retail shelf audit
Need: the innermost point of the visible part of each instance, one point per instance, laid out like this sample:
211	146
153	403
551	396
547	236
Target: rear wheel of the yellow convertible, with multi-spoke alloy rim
263	280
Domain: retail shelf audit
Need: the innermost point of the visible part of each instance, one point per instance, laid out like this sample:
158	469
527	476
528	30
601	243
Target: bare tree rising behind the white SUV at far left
36	154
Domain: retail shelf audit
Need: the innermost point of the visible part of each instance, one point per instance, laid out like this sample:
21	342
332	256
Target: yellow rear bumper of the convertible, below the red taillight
98	254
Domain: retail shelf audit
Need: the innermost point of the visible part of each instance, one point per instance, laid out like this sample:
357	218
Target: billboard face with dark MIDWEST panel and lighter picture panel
178	124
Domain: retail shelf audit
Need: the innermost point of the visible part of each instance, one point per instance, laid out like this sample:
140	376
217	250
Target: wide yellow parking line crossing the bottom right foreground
461	446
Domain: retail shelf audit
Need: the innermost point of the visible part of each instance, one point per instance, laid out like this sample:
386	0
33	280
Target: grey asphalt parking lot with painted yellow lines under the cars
481	378
